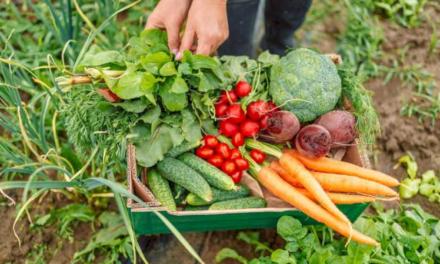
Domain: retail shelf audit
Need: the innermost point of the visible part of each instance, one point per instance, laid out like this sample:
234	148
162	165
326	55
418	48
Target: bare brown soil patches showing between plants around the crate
399	136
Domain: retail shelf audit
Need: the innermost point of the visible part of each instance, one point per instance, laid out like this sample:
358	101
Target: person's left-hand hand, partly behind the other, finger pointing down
169	15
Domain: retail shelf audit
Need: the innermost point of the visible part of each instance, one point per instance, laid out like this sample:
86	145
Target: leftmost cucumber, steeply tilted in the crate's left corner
161	189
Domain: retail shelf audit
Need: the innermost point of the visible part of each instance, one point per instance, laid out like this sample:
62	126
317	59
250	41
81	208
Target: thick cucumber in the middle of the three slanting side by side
176	171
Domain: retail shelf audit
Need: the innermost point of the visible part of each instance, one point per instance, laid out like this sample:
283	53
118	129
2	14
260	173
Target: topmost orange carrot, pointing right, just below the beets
335	166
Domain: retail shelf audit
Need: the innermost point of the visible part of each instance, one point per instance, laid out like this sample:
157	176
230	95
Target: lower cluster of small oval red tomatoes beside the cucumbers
223	157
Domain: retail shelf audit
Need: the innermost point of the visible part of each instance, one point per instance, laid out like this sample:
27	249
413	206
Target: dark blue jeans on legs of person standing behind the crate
282	19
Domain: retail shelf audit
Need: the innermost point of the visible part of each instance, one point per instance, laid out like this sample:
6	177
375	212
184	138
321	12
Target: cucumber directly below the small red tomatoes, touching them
212	175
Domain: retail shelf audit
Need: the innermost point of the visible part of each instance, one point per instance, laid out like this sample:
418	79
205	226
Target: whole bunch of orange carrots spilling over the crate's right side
315	186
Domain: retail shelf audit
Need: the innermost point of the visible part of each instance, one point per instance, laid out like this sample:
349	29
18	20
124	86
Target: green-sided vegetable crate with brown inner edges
146	222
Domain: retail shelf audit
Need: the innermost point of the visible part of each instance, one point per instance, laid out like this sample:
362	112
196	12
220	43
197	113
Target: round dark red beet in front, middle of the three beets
313	141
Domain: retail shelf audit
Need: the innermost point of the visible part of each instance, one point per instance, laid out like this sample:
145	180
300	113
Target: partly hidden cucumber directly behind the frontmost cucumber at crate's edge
218	195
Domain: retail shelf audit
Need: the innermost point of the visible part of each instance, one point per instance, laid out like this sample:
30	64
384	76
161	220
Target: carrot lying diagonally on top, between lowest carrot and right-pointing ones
296	169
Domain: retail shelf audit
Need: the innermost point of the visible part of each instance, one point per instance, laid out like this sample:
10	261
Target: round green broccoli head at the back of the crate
305	83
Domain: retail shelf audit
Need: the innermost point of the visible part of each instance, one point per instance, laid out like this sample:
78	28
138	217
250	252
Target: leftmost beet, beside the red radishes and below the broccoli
282	126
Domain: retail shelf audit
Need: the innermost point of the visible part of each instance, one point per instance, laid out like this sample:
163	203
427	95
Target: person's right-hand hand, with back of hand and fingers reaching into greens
206	27
